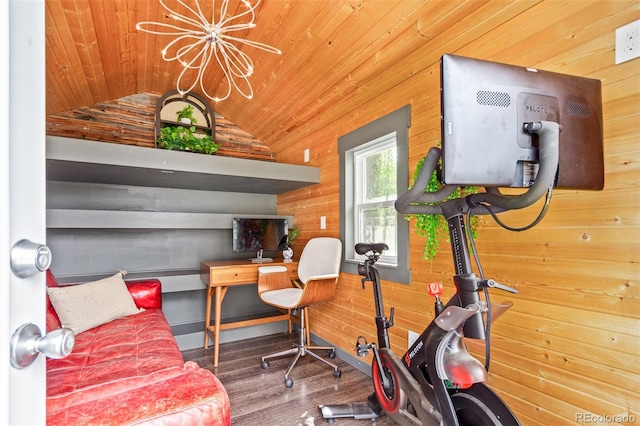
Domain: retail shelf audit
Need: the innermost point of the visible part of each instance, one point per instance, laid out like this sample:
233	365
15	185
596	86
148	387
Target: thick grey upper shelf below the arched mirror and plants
78	160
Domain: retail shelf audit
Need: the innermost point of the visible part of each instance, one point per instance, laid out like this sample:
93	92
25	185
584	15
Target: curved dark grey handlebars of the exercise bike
417	201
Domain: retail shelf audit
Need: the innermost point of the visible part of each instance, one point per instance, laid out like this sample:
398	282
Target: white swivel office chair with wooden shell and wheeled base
318	271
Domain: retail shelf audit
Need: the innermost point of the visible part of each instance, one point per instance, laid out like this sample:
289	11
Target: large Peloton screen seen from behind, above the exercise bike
484	107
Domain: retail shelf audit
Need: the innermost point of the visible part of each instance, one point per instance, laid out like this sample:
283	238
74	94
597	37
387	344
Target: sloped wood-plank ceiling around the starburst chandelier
331	50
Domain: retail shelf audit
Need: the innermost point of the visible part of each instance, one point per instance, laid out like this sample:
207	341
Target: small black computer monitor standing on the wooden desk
254	234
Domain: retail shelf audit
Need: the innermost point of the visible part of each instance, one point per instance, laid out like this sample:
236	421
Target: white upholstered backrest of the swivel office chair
321	256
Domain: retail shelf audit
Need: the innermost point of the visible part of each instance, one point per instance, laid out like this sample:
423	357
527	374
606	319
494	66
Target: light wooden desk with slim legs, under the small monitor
221	274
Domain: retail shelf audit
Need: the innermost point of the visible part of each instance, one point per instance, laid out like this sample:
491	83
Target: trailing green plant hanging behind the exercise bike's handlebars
434	226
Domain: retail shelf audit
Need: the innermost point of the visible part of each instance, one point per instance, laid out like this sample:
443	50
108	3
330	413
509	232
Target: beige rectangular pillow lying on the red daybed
84	306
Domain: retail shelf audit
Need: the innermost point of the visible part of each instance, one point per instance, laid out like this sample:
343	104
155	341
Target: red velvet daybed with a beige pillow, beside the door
128	370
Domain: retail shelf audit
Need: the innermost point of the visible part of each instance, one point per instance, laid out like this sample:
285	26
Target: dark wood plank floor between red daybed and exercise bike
259	397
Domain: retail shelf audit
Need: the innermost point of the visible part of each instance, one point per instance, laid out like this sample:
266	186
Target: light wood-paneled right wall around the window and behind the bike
571	343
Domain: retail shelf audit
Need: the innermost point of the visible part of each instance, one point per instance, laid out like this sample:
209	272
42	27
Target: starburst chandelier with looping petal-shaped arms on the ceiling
199	40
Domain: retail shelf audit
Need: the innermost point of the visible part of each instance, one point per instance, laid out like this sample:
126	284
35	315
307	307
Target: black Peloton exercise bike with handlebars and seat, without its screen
437	381
